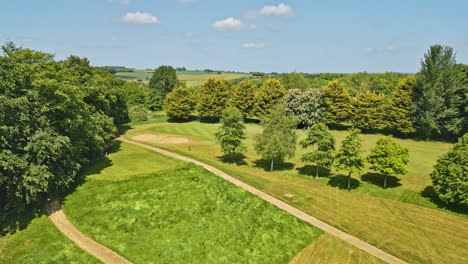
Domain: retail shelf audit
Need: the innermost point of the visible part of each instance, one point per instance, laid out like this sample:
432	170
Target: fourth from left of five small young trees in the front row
349	156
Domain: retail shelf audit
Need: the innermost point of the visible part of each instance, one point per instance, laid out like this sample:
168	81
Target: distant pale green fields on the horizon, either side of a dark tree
191	78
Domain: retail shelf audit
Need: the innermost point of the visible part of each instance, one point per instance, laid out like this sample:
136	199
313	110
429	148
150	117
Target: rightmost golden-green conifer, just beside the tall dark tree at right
397	111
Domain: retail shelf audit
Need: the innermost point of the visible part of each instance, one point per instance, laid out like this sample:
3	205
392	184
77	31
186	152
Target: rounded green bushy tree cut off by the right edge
450	175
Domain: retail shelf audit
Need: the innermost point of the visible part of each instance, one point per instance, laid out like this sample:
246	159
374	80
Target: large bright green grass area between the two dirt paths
154	209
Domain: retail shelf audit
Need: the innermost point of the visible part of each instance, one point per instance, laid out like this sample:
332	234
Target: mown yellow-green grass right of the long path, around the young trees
397	225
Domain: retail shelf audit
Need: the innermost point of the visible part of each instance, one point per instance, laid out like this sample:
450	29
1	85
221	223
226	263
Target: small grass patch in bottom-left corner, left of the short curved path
41	242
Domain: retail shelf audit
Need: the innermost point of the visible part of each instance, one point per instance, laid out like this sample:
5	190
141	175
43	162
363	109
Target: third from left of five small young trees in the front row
323	143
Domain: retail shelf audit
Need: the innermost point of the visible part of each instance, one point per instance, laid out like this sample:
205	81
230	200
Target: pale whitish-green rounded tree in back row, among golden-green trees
307	105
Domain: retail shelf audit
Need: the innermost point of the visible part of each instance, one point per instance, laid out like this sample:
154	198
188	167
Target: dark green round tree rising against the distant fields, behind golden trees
164	79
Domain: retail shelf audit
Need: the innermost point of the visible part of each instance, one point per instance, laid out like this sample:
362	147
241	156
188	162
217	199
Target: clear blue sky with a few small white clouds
243	35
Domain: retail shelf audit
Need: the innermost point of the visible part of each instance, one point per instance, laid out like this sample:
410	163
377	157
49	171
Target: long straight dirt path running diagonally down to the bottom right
282	205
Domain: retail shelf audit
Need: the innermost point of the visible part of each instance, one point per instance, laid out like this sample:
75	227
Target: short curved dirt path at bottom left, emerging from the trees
56	215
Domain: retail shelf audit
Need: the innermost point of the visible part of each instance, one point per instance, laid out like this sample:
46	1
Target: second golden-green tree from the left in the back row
214	96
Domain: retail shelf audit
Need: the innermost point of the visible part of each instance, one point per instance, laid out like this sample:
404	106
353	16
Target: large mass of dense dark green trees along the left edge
54	118
